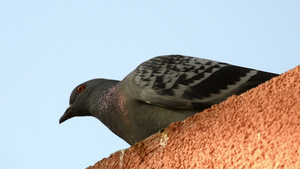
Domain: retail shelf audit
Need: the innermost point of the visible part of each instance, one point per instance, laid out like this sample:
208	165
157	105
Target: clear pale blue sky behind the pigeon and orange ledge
47	48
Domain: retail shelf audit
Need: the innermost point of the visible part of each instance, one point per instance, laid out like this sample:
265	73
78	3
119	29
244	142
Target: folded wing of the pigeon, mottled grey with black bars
176	81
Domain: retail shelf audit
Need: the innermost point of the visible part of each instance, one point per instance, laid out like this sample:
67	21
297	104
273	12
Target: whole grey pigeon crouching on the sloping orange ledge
160	91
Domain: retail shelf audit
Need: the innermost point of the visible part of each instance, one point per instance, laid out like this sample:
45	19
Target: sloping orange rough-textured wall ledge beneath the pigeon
258	129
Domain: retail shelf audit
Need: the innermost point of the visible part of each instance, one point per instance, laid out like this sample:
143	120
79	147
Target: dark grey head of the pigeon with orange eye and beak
79	100
